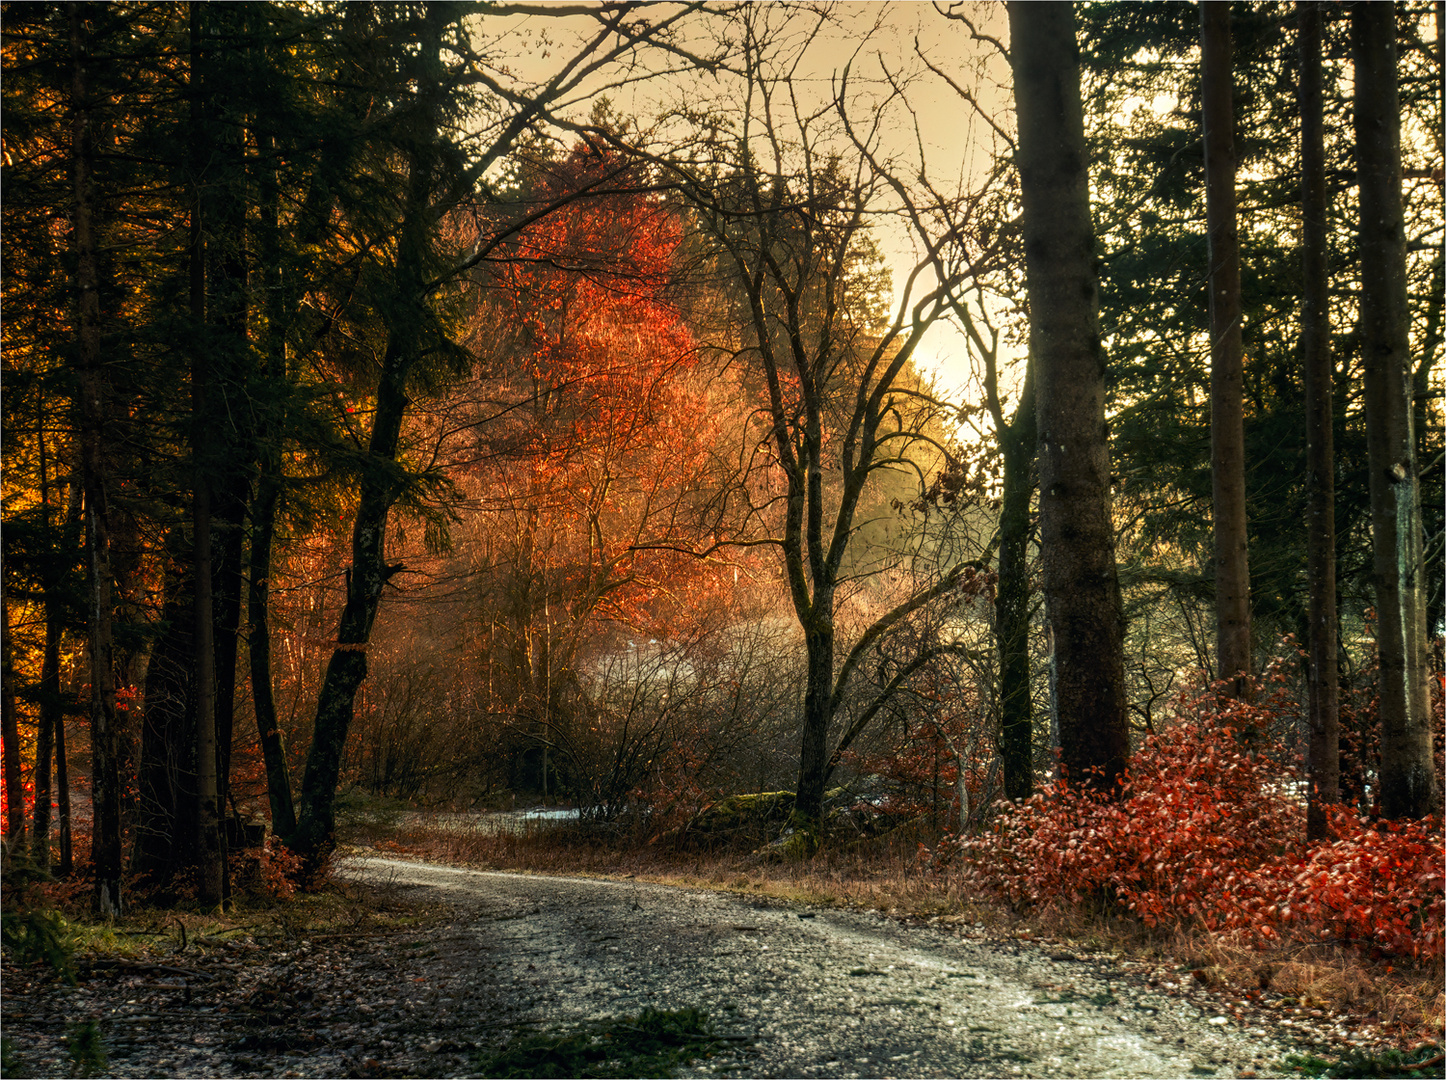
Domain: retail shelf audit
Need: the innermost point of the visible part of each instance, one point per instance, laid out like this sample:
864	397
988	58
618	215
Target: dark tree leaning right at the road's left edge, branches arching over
427	166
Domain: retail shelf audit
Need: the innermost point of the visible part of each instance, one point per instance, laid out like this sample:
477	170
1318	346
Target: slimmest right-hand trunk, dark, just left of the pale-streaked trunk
1324	757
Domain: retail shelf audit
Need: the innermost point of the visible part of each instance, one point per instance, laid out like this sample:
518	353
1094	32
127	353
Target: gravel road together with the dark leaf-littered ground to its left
795	991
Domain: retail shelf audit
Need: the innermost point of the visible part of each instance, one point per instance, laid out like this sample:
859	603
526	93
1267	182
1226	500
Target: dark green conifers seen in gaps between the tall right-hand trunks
1155	274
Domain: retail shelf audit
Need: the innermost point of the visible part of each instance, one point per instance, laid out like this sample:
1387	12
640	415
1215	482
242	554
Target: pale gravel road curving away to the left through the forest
819	993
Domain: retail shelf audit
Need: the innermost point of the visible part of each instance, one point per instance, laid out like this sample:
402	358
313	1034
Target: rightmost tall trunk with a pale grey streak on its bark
1408	774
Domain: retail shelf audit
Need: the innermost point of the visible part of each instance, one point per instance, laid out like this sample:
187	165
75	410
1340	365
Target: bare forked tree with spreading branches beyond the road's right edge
841	410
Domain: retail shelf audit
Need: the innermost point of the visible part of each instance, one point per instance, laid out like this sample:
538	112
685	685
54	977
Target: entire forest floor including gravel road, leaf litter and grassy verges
403	969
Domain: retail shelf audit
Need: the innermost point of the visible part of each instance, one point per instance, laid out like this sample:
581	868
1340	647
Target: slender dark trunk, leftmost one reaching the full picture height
95	410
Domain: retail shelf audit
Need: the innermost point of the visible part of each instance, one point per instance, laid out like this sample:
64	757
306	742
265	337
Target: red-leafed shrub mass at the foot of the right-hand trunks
1210	832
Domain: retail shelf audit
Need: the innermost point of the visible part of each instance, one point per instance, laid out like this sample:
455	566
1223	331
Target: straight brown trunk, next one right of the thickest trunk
1233	576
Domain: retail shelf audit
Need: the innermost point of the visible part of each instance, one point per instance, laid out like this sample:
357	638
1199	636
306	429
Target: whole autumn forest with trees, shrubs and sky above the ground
488	406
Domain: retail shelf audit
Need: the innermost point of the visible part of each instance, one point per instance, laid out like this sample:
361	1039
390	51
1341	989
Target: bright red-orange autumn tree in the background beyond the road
607	462
